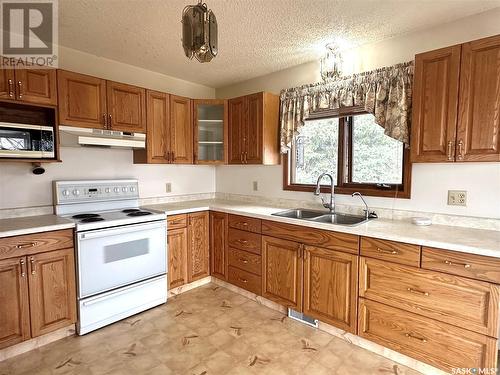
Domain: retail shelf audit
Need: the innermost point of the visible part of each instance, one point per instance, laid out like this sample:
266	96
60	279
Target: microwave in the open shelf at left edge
26	141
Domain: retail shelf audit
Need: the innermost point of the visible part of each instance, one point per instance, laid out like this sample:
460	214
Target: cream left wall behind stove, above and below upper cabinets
20	188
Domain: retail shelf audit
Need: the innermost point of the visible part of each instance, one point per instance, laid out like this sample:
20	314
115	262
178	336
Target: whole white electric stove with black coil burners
120	250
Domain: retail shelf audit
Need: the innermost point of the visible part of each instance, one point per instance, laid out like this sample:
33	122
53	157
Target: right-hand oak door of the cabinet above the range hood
126	107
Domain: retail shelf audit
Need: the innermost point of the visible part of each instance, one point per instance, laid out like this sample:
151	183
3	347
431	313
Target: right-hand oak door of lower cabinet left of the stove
52	291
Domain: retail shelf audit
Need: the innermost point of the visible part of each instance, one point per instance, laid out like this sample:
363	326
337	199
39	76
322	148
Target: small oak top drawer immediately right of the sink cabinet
391	251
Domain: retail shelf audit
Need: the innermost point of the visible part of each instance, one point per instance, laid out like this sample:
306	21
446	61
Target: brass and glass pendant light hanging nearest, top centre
199	32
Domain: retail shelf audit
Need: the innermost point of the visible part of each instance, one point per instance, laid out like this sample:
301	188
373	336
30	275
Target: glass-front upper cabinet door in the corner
210	136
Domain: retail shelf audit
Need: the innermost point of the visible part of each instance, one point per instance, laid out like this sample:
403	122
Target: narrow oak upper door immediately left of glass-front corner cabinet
181	127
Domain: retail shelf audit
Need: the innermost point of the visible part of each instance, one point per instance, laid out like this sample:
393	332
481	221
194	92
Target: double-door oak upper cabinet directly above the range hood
91	102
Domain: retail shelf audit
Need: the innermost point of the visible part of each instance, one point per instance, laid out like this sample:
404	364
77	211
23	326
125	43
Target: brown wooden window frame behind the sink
344	172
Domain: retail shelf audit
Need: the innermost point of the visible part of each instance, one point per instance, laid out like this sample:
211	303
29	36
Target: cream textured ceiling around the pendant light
256	37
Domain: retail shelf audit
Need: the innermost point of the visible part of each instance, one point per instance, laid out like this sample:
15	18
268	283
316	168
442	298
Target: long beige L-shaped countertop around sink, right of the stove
474	241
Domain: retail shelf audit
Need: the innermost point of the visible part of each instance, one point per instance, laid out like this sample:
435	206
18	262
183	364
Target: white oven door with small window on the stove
115	257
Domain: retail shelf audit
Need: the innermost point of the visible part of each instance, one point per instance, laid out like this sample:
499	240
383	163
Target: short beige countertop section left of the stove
32	224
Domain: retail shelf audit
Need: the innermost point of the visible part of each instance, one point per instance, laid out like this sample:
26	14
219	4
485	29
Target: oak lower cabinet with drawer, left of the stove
37	289
